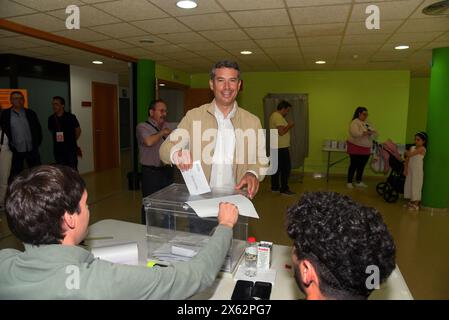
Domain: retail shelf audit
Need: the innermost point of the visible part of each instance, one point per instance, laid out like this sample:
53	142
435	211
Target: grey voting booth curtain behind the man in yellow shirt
299	114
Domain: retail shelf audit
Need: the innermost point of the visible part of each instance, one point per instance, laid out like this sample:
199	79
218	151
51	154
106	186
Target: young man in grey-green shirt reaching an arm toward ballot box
46	209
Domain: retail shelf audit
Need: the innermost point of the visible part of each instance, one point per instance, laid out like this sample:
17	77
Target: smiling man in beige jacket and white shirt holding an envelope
225	168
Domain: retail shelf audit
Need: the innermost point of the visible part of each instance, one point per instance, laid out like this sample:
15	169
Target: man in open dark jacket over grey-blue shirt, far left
24	133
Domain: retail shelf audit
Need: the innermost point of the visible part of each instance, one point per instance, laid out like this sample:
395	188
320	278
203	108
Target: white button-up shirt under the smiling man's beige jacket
222	175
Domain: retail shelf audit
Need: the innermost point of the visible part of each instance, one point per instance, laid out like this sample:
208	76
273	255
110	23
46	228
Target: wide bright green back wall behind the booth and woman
333	97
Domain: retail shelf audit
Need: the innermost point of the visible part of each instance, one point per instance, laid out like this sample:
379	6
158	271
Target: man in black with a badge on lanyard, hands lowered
65	130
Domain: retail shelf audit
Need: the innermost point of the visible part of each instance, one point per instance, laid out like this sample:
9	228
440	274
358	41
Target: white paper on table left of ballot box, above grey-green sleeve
120	253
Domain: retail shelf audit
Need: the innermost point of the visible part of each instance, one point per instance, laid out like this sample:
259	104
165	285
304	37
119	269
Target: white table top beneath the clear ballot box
285	287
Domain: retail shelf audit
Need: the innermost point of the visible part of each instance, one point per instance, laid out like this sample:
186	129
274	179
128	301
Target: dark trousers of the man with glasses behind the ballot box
154	179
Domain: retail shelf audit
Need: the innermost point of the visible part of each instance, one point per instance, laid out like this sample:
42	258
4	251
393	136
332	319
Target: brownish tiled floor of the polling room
422	238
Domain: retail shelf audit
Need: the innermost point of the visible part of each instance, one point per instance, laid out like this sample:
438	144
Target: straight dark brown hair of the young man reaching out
37	199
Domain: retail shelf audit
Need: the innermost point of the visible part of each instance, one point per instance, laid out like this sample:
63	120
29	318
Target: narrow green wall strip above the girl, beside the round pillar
418	106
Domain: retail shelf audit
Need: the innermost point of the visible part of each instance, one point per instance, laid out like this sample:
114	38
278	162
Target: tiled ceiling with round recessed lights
285	35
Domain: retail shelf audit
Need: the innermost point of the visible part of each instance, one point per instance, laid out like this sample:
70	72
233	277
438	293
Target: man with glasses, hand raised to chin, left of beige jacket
150	135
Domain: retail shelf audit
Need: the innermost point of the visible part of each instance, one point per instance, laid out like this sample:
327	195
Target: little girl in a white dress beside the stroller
414	171
